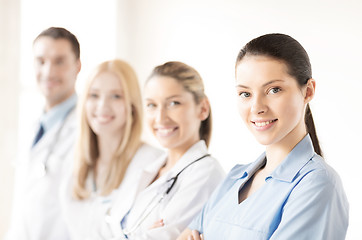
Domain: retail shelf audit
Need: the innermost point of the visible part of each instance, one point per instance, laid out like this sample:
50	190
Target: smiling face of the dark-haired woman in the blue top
270	101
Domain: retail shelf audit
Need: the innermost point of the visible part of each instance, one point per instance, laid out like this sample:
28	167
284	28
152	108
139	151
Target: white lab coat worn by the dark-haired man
36	213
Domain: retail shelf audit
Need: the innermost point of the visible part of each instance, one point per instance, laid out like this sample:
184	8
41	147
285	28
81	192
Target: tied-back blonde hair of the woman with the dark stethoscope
192	82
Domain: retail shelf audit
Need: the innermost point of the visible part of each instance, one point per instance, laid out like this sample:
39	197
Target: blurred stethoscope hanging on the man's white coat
42	168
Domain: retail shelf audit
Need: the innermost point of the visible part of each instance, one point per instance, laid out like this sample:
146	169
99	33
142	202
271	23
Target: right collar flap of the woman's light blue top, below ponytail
295	161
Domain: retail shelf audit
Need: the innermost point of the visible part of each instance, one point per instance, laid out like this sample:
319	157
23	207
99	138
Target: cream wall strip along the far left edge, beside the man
9	84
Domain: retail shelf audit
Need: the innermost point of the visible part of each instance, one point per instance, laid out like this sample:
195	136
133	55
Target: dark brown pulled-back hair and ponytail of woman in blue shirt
290	51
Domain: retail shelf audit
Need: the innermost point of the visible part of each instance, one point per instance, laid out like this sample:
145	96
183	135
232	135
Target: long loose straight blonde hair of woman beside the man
87	151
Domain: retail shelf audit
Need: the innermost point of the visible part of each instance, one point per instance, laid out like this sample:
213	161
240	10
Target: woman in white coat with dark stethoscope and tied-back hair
179	182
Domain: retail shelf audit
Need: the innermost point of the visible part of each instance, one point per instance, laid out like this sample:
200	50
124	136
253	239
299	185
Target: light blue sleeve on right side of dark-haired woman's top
317	208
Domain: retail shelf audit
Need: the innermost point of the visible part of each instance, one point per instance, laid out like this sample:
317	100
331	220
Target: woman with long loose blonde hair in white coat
109	153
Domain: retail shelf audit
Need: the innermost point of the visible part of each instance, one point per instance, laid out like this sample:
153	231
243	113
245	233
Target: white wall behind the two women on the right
208	35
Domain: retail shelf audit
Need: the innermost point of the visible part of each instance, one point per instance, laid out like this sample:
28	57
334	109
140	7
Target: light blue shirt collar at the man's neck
57	113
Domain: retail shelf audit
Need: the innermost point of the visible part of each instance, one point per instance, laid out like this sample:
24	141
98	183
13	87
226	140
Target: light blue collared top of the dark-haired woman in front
303	198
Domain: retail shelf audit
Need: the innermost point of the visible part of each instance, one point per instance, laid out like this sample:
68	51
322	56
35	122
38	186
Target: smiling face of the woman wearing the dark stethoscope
172	113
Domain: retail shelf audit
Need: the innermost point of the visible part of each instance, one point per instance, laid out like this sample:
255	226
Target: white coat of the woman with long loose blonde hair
85	218
